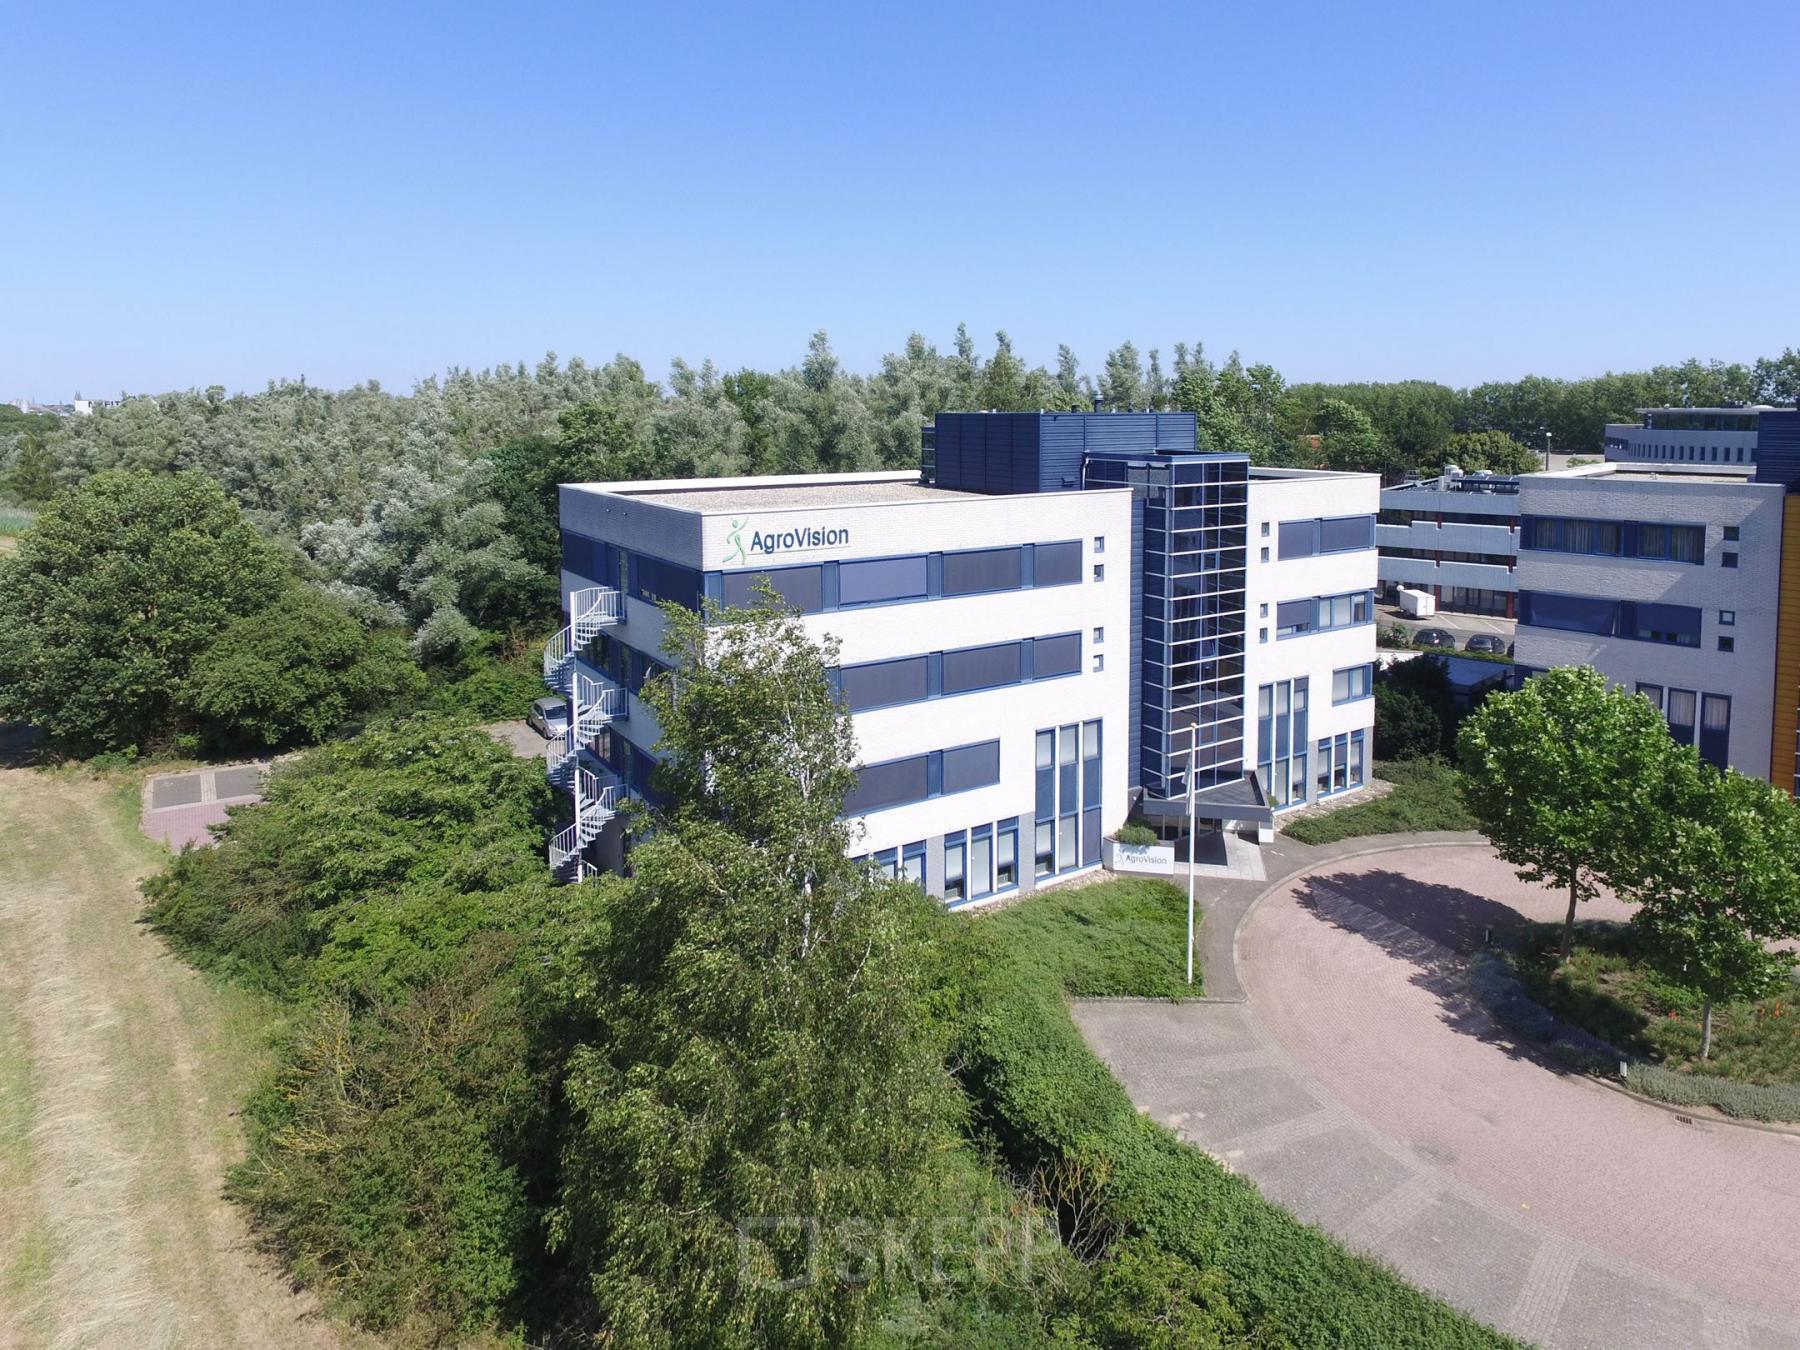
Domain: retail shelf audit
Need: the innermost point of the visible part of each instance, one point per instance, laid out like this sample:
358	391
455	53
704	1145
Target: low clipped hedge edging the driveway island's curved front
1500	991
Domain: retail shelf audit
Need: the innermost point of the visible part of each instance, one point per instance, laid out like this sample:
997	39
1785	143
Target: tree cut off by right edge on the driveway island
1720	886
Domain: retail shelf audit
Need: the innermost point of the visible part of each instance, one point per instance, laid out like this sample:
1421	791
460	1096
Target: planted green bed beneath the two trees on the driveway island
1606	991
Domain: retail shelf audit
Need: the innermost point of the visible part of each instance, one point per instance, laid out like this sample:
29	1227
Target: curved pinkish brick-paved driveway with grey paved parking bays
1363	1092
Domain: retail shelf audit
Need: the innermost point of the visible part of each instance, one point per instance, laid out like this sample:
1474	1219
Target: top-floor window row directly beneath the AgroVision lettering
858	584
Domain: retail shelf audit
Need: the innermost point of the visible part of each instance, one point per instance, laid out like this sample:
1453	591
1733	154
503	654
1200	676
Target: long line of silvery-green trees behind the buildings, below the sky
433	512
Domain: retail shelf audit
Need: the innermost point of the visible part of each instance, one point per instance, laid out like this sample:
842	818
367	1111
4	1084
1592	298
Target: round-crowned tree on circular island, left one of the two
1565	777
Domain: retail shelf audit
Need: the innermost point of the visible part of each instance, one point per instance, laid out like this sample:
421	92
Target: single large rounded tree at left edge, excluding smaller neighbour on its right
112	598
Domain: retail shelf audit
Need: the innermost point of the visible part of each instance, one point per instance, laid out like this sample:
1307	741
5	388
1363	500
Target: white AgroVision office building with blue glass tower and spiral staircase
1057	622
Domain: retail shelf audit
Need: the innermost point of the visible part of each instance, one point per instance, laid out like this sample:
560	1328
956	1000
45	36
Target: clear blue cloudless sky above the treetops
1453	192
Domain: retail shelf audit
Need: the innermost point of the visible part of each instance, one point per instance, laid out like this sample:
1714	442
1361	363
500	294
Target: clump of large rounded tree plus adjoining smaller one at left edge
143	609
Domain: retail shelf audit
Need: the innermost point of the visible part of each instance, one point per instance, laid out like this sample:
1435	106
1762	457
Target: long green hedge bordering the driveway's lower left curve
1047	1099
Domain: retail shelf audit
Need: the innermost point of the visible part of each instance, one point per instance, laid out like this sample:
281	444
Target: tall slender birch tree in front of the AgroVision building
764	1065
